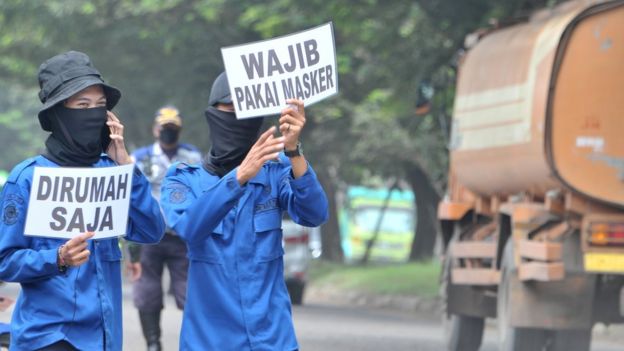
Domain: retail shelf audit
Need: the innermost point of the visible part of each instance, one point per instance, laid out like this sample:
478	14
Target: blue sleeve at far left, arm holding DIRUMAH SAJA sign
19	261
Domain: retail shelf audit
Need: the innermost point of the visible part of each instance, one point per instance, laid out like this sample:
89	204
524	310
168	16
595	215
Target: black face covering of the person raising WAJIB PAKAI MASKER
231	140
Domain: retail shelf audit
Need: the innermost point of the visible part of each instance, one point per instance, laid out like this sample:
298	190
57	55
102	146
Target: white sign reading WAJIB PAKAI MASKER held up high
262	75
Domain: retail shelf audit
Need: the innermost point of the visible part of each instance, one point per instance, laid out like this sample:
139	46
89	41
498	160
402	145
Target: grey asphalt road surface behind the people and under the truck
327	326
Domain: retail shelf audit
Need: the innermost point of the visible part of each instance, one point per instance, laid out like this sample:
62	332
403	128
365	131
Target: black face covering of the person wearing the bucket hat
78	136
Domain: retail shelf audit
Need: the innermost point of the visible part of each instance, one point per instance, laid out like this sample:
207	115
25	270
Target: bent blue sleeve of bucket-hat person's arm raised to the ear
145	223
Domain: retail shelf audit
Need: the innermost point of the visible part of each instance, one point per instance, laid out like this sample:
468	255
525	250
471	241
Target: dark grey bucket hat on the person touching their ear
66	74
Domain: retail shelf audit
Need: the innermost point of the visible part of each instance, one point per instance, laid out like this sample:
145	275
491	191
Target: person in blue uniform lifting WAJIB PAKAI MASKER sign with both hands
229	211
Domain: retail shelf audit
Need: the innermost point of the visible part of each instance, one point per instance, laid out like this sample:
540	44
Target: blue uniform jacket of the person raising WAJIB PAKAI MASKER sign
236	296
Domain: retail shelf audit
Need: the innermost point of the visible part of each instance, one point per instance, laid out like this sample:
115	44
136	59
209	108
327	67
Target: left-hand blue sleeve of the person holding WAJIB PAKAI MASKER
194	211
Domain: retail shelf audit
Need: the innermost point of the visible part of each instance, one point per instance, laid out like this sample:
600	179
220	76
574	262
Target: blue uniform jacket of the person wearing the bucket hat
82	305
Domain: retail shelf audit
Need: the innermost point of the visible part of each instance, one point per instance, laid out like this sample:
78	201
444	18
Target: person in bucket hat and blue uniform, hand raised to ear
71	289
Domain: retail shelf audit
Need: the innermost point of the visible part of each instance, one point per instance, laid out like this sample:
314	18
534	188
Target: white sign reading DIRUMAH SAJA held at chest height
65	202
